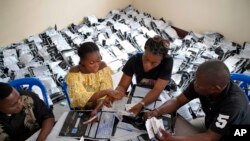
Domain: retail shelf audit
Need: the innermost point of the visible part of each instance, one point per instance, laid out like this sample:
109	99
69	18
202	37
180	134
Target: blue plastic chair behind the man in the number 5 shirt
244	82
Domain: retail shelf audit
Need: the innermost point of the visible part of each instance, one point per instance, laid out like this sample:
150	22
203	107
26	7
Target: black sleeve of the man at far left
41	110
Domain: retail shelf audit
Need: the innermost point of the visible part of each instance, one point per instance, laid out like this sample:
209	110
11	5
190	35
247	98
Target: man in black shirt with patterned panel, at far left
22	113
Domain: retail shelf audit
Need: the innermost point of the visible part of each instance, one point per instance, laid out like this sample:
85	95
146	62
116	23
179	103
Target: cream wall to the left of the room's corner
20	19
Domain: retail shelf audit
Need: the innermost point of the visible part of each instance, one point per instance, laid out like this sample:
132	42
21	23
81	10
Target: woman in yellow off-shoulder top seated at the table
91	80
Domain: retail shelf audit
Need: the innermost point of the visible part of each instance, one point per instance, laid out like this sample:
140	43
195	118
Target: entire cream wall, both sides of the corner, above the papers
23	18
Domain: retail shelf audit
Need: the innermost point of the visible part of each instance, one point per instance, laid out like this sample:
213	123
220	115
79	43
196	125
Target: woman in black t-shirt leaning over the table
152	68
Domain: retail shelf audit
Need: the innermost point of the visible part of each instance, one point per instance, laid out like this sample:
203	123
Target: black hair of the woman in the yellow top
86	48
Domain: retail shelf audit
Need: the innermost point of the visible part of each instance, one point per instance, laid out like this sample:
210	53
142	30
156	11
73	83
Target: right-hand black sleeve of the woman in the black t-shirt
166	68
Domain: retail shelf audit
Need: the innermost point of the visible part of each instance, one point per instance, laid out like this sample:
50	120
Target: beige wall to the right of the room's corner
228	17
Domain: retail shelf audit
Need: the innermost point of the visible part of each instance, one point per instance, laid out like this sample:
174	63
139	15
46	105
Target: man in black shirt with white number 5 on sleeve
222	100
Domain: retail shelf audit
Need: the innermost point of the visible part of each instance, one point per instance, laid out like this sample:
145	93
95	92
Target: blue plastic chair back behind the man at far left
30	81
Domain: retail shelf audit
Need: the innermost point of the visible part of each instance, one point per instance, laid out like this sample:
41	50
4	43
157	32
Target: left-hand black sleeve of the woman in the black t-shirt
129	67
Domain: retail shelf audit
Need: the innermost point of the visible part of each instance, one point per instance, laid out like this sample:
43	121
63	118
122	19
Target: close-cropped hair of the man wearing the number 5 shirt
215	71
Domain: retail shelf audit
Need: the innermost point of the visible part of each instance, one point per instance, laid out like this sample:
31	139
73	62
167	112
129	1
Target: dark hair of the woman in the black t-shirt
157	45
